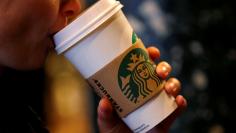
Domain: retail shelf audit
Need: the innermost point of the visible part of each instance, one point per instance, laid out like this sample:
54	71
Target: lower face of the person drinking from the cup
27	27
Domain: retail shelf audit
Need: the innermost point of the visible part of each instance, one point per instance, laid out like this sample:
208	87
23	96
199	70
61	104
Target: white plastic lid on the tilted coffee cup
87	22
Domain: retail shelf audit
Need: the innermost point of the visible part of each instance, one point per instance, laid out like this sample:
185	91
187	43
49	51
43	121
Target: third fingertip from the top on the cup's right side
173	86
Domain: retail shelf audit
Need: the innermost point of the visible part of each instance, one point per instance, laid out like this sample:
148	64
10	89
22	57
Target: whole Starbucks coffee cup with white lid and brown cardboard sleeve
102	45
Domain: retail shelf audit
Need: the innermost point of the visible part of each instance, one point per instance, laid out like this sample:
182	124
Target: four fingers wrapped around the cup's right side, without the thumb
172	87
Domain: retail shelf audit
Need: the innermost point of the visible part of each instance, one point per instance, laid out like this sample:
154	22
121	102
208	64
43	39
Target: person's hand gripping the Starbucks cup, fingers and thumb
109	121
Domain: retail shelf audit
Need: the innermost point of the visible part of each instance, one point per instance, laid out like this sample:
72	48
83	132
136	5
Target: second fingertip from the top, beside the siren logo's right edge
163	69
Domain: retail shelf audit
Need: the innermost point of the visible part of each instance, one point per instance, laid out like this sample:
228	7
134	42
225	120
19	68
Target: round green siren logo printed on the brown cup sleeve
137	77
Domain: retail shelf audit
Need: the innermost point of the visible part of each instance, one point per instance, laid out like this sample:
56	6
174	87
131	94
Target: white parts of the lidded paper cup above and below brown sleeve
97	37
